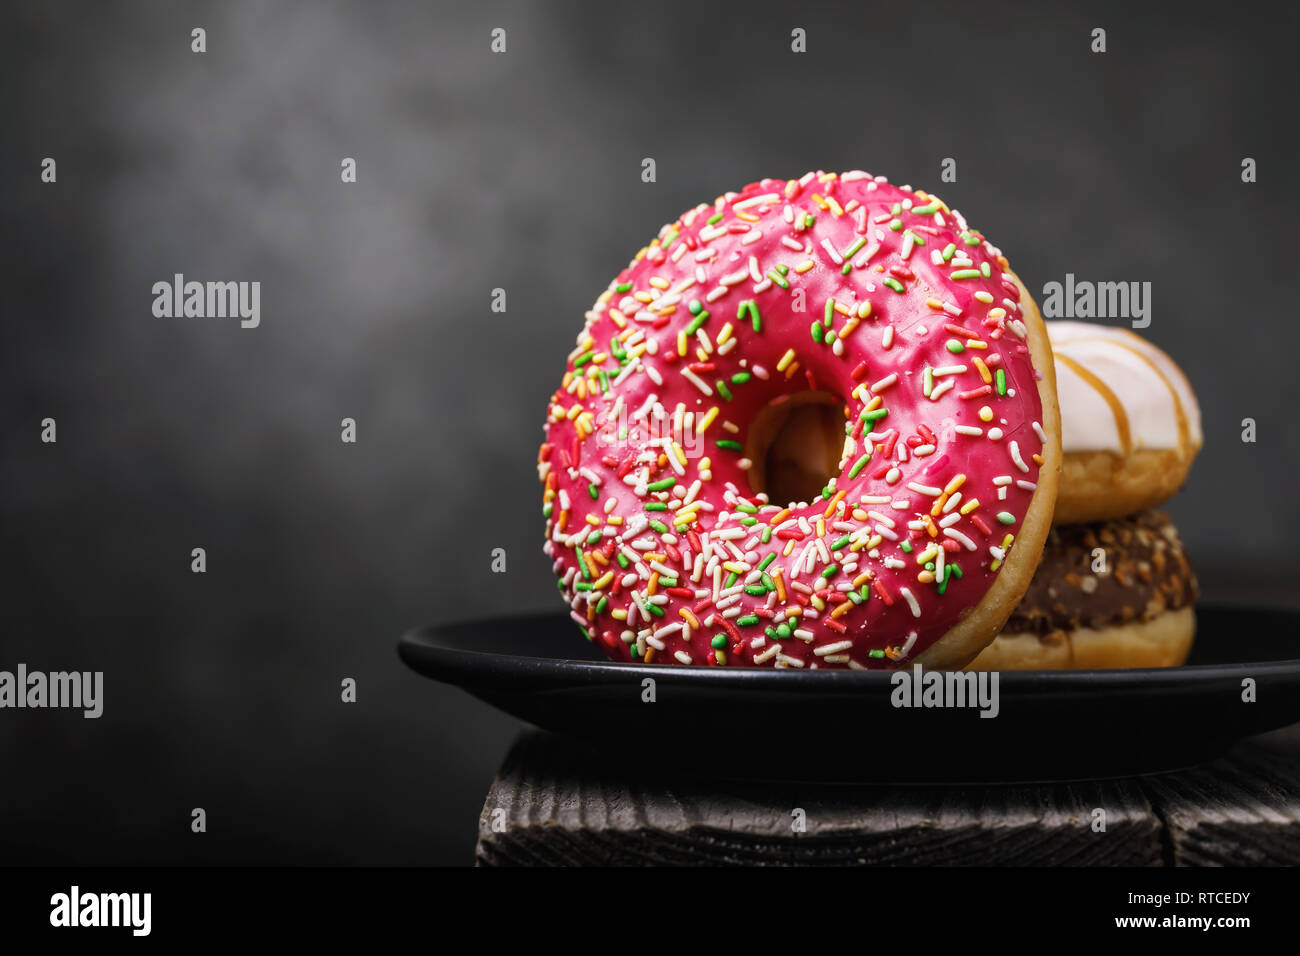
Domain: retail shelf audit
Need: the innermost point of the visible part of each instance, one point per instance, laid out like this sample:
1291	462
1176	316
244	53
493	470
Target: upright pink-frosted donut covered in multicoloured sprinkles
931	524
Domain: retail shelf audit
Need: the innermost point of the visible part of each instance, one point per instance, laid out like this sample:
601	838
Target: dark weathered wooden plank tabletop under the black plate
558	803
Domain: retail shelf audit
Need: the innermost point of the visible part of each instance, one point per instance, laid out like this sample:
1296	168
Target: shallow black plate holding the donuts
843	725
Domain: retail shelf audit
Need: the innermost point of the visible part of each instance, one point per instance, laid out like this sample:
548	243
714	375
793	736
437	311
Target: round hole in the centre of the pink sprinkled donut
796	444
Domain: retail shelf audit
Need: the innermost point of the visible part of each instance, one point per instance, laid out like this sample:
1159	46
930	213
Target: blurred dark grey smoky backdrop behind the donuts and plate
518	171
